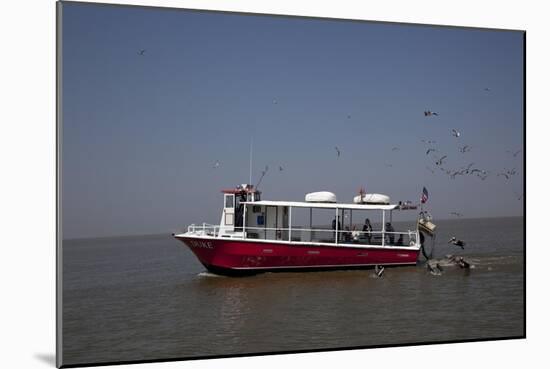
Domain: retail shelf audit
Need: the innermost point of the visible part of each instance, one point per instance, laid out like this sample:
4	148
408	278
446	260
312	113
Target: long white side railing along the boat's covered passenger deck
325	235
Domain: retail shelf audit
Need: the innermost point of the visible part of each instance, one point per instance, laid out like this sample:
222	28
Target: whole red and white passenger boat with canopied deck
256	235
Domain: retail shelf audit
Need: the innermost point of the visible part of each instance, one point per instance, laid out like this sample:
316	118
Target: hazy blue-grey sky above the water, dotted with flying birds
141	133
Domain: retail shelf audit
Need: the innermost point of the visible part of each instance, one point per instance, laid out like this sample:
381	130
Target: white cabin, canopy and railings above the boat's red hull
246	216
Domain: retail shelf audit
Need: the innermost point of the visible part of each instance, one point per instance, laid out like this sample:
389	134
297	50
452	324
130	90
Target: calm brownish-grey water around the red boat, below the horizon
147	297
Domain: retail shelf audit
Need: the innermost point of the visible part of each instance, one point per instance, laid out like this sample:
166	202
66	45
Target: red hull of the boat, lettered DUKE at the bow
230	256
